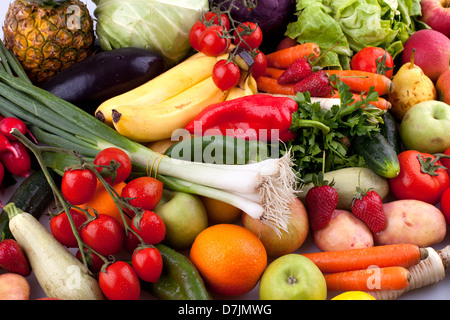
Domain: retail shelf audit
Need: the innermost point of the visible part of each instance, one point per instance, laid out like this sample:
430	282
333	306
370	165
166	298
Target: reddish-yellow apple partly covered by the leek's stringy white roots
277	245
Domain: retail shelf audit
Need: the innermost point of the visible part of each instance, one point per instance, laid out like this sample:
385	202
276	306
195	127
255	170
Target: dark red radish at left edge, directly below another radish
19	165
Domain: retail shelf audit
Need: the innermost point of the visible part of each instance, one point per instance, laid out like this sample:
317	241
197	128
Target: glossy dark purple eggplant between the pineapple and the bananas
104	75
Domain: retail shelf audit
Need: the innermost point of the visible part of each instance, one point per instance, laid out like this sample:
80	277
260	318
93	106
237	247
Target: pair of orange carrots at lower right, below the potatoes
368	269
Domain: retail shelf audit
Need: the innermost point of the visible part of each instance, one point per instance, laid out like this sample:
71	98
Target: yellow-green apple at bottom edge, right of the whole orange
292	277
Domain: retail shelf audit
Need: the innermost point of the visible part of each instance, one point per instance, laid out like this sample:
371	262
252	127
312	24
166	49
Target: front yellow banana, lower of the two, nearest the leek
147	123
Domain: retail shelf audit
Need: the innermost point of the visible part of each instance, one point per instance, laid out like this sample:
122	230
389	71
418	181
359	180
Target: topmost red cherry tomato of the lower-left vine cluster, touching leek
119	160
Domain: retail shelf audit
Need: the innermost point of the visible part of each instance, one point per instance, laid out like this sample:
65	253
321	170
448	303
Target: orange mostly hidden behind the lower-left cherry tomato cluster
103	203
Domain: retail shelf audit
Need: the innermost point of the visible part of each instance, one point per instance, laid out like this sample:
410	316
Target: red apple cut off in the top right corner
436	14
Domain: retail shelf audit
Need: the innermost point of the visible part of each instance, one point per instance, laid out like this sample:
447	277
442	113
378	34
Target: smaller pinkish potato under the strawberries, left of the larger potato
344	232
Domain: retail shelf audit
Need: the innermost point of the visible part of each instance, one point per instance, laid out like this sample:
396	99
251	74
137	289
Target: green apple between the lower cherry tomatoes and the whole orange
184	216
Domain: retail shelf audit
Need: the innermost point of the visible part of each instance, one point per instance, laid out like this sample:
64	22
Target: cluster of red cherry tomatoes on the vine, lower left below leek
103	236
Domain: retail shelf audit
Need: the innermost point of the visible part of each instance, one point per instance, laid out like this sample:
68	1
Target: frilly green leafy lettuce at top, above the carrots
343	27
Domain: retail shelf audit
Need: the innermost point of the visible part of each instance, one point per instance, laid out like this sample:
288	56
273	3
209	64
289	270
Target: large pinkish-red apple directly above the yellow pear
432	52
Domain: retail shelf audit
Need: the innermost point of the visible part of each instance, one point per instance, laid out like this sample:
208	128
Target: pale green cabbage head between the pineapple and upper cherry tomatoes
158	25
